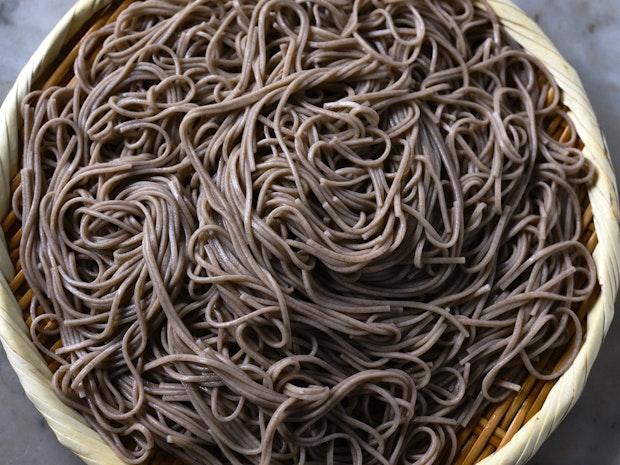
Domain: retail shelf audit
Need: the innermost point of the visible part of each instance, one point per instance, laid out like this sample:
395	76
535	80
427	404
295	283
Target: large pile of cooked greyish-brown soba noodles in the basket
295	232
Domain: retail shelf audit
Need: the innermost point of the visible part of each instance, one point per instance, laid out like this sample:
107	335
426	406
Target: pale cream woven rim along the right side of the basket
605	207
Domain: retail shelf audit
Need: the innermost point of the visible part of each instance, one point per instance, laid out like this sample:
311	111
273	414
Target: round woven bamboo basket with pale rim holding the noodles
507	433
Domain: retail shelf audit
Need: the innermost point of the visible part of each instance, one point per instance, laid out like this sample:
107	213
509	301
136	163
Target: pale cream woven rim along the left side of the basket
69	427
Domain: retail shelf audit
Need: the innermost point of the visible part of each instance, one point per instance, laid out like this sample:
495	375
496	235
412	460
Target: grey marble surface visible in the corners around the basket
587	33
